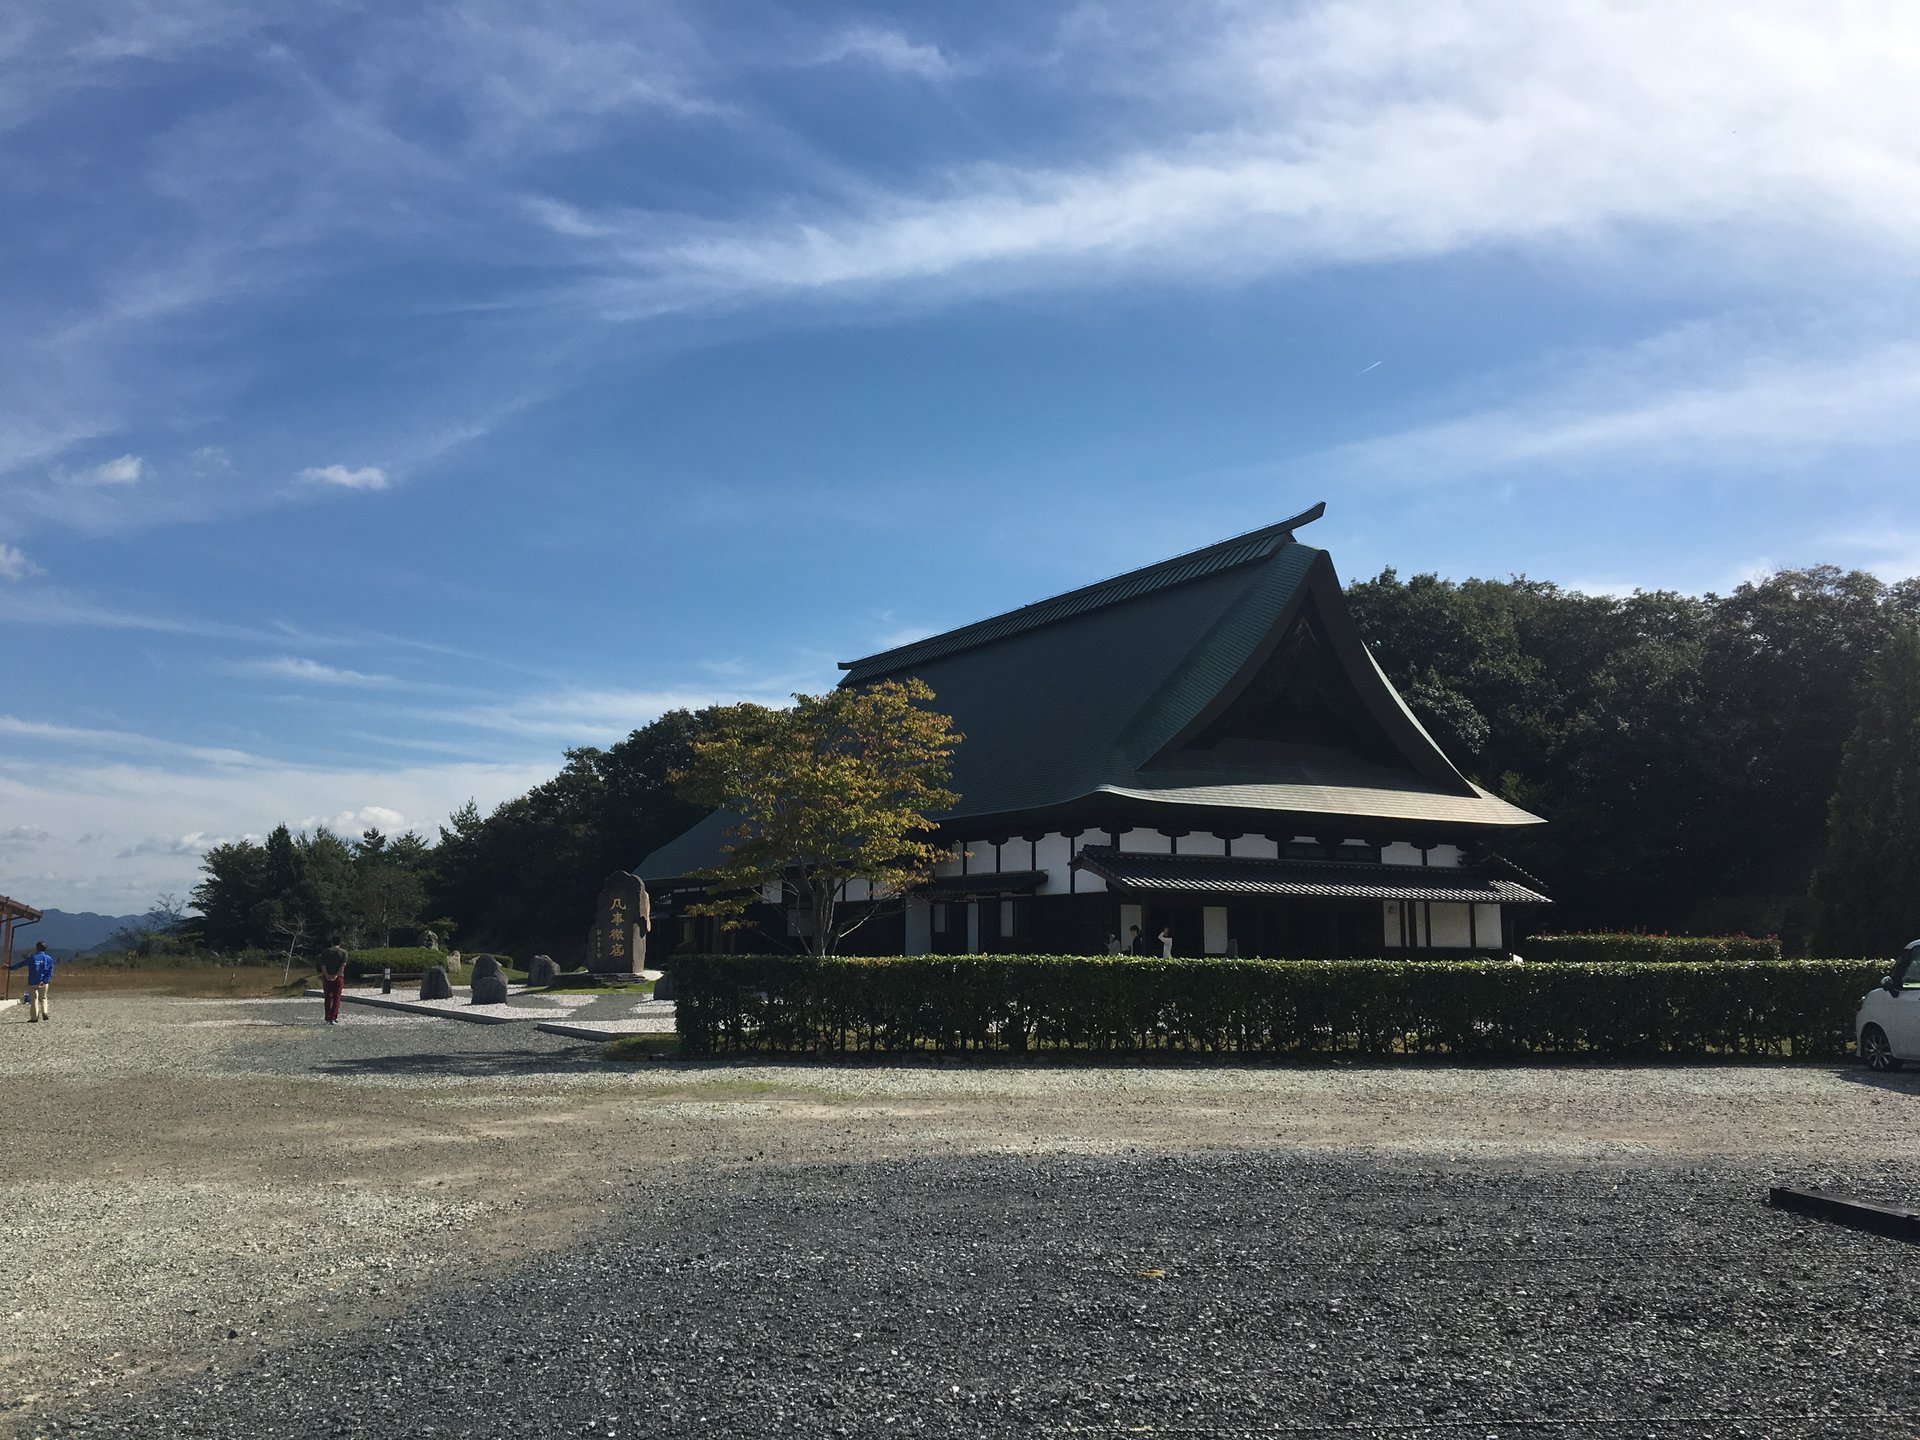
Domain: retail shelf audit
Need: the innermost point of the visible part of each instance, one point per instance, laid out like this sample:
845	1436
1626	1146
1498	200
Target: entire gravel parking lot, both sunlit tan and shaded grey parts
241	1224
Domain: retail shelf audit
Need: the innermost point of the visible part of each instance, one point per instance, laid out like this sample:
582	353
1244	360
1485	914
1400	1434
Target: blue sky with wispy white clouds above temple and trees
395	396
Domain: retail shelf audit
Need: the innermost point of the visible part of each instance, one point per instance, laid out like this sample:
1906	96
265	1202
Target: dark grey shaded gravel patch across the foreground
1166	1295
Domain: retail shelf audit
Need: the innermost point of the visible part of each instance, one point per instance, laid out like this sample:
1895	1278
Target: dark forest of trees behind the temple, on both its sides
1687	752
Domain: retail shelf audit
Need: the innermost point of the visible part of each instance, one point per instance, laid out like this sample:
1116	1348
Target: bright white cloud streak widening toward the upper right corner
1360	133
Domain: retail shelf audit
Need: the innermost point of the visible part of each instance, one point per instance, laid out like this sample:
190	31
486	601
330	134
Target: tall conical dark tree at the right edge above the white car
1867	892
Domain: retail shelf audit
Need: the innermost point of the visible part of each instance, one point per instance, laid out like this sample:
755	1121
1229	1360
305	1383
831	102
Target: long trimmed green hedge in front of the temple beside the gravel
972	1003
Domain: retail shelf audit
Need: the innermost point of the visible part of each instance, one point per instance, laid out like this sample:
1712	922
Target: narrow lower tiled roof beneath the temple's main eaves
1343	880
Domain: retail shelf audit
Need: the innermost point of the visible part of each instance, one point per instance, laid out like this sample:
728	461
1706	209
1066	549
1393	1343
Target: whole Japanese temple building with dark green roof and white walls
1203	746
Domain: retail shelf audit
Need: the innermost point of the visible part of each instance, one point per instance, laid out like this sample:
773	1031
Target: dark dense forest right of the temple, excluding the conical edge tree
1685	748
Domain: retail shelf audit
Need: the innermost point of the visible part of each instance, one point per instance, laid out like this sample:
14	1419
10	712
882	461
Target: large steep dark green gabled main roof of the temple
1116	694
